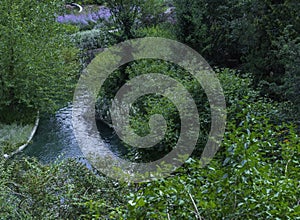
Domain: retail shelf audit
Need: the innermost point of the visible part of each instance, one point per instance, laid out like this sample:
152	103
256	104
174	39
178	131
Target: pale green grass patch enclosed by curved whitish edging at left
13	136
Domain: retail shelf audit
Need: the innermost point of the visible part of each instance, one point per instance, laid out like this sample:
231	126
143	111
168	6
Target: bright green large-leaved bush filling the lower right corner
256	179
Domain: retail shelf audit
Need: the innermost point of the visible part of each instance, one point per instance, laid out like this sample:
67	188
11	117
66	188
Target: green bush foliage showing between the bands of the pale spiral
149	105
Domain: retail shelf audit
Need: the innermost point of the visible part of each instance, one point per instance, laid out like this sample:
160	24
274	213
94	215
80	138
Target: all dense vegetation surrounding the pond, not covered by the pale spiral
254	48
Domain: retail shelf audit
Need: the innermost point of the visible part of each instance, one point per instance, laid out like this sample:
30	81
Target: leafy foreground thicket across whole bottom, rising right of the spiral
255	175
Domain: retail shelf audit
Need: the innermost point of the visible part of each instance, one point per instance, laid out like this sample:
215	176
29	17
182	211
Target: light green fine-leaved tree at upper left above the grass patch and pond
38	62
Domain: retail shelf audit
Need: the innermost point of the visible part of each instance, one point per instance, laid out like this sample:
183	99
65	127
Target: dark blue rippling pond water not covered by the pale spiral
55	139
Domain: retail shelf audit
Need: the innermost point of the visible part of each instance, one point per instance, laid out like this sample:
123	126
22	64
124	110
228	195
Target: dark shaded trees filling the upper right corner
255	36
